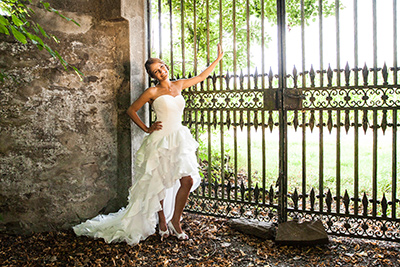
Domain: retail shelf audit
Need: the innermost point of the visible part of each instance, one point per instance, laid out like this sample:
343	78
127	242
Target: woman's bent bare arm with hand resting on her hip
138	104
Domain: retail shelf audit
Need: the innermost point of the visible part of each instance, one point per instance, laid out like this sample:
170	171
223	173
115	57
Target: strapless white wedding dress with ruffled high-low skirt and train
163	158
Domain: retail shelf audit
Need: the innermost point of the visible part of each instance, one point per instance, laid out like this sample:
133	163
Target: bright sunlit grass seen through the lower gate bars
312	156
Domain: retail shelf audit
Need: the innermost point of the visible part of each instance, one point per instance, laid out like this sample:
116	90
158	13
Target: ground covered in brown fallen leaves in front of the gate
212	243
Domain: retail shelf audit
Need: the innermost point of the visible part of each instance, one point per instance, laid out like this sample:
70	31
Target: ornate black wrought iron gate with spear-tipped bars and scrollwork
278	145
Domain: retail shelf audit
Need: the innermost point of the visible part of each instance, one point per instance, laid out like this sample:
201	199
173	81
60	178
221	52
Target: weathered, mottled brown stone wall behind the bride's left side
65	151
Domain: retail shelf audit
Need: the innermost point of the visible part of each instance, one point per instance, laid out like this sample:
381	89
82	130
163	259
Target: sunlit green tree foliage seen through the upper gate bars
236	24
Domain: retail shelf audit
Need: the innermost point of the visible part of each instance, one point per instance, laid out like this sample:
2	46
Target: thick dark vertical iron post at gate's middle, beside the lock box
281	23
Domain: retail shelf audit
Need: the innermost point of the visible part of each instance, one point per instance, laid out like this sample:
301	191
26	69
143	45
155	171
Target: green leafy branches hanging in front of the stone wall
15	19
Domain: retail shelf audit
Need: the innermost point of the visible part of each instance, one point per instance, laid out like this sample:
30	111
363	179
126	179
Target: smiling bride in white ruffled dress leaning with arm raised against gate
166	168
